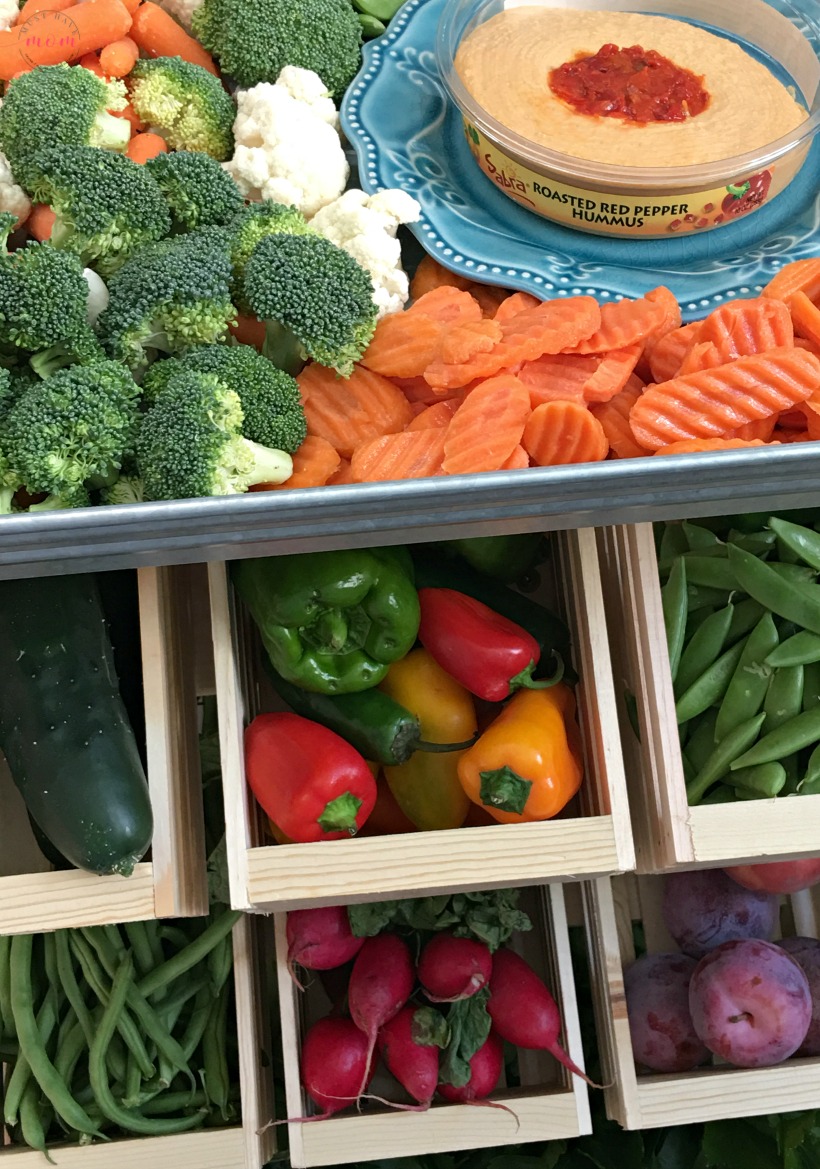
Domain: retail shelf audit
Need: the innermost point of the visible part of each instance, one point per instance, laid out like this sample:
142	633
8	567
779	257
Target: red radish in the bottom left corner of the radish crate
336	1064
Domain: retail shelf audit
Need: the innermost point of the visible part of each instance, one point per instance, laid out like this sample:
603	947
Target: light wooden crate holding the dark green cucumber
173	882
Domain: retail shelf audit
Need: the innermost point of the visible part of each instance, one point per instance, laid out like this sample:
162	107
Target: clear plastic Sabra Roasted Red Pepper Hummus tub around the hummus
645	202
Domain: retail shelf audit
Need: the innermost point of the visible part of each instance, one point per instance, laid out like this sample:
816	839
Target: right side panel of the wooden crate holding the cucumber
174	767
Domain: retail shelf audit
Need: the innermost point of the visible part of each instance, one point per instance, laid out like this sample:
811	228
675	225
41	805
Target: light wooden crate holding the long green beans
249	1145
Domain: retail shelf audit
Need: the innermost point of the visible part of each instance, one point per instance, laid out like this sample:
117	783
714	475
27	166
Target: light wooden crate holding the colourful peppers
592	836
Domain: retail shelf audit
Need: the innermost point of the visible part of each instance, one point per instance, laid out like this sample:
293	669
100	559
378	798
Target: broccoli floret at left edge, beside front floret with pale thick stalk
70	434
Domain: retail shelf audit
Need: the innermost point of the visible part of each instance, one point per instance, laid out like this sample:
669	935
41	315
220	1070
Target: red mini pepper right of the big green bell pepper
488	654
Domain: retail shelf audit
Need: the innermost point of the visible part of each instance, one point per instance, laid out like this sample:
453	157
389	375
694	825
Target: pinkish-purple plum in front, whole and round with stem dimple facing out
750	1004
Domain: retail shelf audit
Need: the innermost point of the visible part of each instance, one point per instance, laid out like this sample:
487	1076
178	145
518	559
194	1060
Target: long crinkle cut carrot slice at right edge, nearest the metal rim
715	403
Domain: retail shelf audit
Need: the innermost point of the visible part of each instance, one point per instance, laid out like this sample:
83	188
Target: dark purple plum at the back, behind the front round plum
705	908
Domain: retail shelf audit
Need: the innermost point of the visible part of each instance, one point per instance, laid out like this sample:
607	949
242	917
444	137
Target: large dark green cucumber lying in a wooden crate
64	728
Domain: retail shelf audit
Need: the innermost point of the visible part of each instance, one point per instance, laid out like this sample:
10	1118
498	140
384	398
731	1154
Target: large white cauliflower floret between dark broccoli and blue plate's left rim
288	147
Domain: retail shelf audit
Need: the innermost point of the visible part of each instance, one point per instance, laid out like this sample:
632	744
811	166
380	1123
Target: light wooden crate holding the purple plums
707	1094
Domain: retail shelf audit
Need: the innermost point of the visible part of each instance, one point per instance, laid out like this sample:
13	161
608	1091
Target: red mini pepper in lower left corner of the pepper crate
312	784
